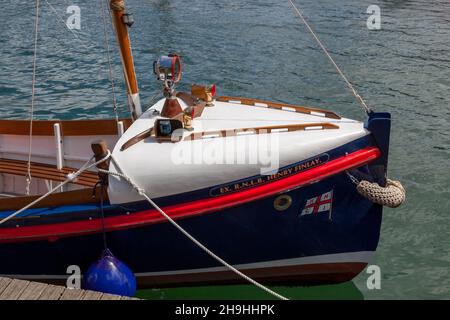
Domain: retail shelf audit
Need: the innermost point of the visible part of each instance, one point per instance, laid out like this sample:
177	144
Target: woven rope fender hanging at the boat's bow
392	195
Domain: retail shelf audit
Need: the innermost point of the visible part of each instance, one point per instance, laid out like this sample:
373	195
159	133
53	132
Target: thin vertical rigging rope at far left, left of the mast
33	86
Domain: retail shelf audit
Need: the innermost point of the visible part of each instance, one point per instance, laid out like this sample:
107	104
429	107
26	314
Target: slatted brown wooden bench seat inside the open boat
46	171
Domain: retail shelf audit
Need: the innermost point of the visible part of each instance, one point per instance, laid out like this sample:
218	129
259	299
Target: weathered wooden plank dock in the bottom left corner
15	289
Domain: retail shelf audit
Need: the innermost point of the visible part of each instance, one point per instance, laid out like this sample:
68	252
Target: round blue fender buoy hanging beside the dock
110	275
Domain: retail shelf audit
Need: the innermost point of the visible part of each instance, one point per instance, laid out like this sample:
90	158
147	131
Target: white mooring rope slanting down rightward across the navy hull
189	236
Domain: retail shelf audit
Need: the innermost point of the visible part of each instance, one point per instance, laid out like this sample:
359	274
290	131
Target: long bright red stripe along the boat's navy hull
184	210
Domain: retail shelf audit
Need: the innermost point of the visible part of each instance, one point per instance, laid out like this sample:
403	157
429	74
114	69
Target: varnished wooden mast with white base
121	20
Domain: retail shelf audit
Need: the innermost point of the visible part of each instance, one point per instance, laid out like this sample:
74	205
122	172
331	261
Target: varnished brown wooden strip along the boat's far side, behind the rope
68	127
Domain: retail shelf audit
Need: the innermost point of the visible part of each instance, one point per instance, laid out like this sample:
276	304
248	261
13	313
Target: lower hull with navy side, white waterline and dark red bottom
274	246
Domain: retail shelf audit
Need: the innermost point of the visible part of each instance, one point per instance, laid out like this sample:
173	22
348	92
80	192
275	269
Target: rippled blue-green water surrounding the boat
257	48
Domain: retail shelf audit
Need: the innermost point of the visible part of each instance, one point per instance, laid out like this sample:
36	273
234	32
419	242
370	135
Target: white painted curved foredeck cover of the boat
160	170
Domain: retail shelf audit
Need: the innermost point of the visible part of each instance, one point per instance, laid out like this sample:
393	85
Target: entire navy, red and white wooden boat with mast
299	220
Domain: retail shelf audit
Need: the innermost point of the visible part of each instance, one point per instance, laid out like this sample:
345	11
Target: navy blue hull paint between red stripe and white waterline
248	234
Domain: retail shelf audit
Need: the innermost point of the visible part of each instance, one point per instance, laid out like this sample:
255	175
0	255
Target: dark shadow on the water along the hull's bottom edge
343	291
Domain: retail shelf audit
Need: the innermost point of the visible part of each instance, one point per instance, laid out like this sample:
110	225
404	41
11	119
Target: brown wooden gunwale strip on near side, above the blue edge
81	196
